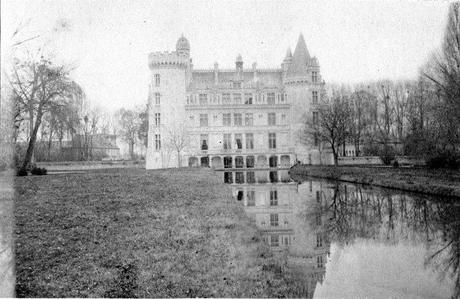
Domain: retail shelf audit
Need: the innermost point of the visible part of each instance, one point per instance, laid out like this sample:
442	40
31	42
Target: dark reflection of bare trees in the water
355	212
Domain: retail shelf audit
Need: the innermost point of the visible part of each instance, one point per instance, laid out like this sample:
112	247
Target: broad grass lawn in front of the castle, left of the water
138	233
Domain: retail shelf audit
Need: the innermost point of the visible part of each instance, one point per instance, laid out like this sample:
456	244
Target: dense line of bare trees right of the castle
416	118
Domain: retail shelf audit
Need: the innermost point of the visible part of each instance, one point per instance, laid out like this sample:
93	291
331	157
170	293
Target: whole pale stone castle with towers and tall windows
246	117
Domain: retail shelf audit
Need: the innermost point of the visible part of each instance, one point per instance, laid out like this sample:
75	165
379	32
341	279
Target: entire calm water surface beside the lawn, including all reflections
347	240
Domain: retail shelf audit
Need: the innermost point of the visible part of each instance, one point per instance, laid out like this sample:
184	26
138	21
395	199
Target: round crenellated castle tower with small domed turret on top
167	99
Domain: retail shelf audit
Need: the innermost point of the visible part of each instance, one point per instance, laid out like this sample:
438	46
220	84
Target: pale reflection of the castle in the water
283	214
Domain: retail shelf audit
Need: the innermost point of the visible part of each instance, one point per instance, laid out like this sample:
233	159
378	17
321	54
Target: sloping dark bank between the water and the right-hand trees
436	182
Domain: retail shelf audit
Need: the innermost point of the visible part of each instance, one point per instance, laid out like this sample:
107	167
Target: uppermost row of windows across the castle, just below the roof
226	99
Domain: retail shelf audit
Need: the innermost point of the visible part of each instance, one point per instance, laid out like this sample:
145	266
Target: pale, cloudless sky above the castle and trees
108	41
